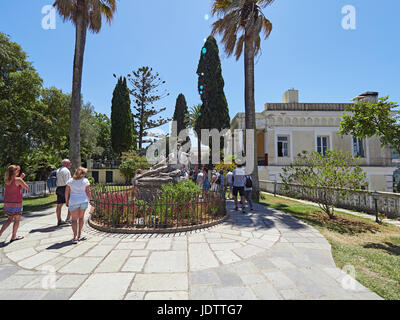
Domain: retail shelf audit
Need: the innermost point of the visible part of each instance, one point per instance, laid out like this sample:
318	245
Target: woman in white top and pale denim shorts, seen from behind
77	196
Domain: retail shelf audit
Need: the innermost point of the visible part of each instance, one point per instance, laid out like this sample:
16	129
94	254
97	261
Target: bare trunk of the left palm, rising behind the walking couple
75	132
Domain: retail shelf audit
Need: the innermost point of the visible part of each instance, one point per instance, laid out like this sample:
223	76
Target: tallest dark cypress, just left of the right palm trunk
214	110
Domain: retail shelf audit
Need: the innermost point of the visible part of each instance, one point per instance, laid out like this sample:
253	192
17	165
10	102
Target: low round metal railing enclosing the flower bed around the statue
121	207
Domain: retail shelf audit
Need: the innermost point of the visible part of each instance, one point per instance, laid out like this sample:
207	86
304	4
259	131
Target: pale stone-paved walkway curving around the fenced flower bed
265	254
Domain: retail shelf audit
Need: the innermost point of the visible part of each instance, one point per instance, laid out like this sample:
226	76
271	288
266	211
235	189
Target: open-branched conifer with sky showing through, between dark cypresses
145	91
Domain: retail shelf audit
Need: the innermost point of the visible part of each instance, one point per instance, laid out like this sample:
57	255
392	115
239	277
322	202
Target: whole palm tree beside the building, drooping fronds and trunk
244	18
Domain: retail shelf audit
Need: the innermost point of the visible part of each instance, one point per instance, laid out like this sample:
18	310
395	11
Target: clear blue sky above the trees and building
307	50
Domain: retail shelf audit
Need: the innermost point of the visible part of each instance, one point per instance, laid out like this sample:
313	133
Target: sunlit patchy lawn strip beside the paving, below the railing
373	249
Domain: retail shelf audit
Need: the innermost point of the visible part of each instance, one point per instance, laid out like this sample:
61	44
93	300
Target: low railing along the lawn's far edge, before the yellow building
362	201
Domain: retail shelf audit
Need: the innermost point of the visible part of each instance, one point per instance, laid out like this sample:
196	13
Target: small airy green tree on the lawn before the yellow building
324	179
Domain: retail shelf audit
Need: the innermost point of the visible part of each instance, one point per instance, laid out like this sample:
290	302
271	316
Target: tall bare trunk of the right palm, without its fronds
250	117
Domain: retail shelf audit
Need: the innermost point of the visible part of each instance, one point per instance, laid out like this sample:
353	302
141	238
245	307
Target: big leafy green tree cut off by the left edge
20	108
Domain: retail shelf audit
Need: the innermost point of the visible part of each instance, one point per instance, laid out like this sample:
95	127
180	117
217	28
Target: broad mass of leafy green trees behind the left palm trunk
35	121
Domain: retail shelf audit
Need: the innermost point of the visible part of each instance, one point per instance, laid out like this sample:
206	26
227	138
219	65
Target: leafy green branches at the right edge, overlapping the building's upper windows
366	119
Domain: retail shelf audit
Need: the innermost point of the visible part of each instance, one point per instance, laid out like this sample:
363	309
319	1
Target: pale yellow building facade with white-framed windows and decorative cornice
288	128
